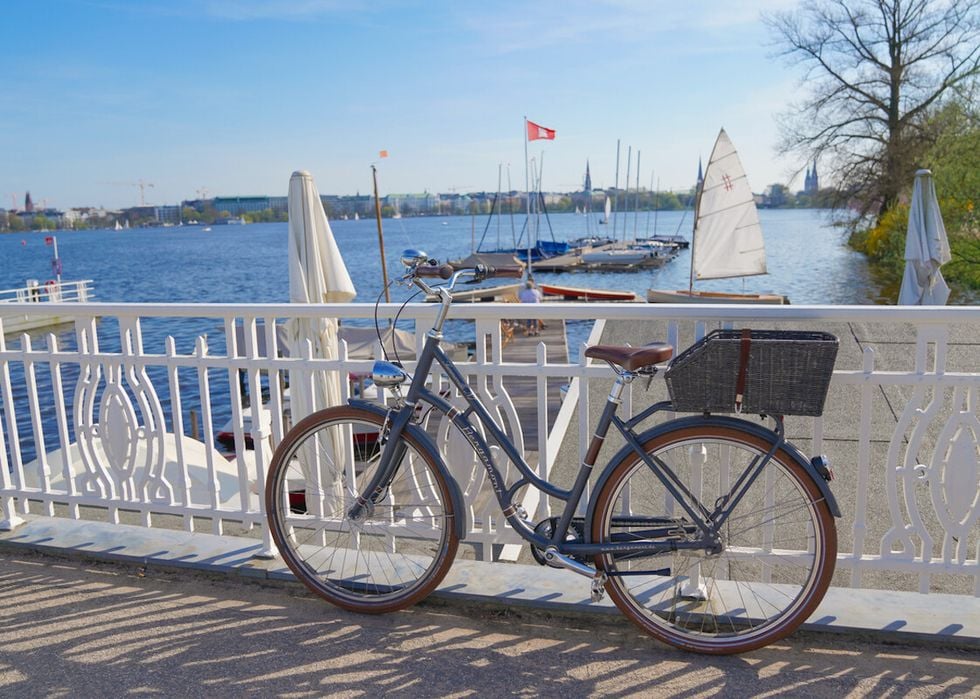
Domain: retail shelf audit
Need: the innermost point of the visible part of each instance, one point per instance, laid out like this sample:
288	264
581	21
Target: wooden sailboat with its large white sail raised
727	239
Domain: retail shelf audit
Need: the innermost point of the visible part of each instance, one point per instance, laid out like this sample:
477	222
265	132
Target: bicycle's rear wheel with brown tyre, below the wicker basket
773	565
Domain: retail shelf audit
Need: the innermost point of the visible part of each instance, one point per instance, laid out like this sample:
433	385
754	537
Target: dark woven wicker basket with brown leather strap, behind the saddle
788	373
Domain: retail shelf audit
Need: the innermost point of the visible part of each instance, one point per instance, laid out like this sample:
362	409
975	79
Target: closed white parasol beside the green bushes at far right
926	248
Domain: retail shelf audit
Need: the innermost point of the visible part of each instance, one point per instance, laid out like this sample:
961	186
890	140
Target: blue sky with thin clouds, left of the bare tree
229	97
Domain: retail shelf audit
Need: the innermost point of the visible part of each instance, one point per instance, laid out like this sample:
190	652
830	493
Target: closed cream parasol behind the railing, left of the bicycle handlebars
317	274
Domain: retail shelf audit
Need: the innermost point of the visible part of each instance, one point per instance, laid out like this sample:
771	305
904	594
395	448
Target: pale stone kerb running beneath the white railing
904	617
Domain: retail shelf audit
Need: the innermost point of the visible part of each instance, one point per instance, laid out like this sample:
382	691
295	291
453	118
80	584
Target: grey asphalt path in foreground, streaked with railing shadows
86	629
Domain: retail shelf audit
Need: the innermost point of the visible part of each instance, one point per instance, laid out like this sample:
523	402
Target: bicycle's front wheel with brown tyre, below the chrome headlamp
390	557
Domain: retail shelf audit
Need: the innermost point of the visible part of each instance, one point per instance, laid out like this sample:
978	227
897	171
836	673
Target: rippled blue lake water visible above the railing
807	258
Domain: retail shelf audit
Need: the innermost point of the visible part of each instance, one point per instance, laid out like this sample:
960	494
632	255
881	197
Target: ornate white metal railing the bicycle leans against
100	417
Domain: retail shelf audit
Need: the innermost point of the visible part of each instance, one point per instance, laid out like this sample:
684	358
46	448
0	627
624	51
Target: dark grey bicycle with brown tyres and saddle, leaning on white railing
710	532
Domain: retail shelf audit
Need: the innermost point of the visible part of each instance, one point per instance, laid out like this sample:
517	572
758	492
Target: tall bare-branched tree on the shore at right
874	70
